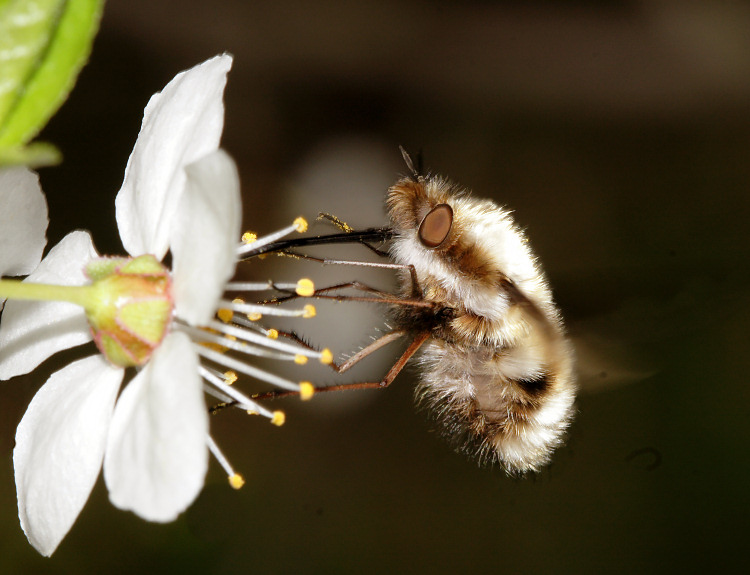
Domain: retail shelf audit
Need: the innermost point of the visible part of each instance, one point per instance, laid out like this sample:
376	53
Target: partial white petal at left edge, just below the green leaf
23	221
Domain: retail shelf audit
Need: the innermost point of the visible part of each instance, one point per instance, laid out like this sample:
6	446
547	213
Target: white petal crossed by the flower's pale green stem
32	331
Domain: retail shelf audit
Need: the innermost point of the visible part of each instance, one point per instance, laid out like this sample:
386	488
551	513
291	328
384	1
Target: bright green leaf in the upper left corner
43	46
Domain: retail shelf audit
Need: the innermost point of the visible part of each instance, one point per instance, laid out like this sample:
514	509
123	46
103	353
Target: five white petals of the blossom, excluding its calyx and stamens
180	193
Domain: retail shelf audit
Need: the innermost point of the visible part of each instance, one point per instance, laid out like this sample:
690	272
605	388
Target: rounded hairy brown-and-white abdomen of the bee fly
506	405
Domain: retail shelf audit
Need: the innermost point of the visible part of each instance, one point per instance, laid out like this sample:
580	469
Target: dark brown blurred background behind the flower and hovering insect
618	132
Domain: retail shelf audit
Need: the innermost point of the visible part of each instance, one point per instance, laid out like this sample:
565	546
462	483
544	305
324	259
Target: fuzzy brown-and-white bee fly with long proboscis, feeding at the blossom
496	368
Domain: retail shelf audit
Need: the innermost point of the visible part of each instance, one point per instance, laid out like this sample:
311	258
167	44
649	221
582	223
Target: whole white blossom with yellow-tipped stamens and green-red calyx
180	194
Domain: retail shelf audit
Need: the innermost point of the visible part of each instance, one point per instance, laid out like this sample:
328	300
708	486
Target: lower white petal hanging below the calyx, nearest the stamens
156	458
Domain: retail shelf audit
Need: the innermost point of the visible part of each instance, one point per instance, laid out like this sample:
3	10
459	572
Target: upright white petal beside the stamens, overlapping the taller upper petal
205	235
